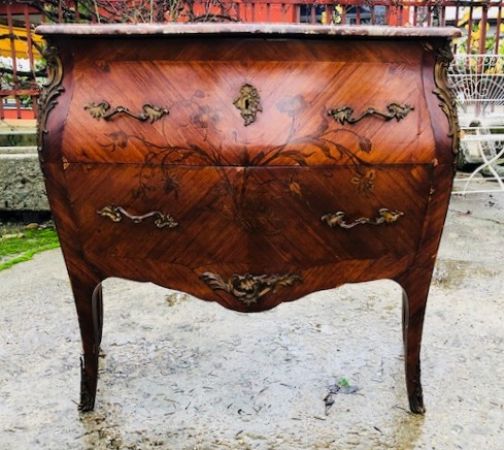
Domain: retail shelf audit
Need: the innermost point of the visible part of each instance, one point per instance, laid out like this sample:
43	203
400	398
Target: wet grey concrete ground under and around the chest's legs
185	374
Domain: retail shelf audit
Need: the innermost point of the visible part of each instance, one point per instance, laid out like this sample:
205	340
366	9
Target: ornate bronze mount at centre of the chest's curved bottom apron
250	288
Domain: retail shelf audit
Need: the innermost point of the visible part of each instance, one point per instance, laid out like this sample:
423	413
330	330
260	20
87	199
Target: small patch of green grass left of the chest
20	246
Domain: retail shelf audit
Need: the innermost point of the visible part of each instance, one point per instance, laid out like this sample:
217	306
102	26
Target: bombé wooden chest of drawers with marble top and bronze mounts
247	164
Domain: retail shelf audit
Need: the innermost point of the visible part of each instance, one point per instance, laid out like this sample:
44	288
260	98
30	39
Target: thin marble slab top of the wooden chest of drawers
247	29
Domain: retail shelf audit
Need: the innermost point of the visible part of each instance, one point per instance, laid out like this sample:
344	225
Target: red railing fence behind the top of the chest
21	67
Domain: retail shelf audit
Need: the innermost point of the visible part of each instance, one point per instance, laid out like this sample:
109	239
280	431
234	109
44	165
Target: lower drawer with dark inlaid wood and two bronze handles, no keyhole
262	217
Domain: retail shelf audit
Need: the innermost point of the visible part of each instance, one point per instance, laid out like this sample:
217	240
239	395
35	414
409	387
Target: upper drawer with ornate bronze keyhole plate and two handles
266	103
